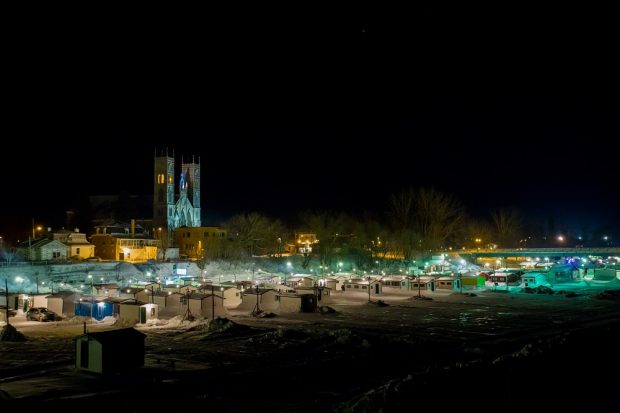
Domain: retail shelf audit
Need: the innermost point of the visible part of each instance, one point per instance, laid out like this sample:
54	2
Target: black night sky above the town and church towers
319	111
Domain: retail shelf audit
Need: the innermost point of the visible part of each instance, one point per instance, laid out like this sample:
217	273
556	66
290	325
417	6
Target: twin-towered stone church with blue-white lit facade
175	207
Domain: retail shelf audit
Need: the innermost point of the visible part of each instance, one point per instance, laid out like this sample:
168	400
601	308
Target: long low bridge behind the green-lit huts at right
538	252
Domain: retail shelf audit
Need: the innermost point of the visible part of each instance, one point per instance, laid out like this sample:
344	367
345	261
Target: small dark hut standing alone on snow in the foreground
110	351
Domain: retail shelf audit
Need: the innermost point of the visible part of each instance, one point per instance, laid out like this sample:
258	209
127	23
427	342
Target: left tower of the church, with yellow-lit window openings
163	196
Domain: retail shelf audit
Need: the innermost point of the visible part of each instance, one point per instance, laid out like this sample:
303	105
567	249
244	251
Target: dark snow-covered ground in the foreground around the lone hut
317	361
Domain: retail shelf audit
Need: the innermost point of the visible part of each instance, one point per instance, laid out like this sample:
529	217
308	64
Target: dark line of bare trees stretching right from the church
416	222
